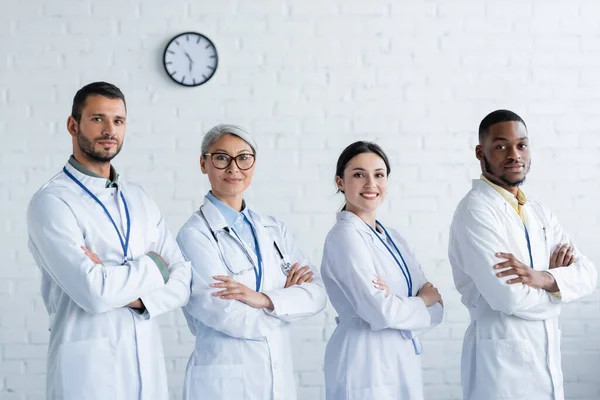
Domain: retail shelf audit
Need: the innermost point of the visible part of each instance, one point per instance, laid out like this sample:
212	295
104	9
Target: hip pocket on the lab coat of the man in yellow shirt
504	368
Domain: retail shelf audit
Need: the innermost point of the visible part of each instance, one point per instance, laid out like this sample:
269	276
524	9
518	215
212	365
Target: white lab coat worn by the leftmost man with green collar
99	348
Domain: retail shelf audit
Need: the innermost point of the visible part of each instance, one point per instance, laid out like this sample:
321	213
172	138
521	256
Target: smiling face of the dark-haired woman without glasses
364	184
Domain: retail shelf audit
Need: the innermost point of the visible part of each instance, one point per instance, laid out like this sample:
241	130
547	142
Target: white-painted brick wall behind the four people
308	77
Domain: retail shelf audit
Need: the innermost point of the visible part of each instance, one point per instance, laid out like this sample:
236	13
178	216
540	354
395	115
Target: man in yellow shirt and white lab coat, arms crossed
514	266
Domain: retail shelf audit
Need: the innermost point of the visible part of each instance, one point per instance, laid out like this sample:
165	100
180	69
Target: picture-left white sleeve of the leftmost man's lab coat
55	240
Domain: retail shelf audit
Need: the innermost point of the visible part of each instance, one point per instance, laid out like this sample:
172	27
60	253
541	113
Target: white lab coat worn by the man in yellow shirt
511	349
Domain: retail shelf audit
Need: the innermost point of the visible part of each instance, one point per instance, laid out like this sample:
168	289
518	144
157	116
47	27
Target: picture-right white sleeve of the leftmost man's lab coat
176	291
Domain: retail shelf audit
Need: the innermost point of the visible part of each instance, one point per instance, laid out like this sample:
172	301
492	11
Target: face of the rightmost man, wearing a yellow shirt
504	154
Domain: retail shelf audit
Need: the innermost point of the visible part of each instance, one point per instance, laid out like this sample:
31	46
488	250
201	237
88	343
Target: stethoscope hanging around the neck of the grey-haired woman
286	267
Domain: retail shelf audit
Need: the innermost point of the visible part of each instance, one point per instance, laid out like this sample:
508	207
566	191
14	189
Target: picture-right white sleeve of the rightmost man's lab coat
578	279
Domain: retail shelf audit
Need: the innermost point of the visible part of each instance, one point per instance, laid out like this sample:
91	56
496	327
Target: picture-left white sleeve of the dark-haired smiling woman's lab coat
349	264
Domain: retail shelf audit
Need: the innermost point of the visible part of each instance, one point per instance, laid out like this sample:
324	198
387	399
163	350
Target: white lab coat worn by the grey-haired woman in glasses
242	352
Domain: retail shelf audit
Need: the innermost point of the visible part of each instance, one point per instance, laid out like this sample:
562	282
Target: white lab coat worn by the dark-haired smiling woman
370	354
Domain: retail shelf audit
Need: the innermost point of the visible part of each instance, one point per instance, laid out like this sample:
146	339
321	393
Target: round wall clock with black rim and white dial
190	59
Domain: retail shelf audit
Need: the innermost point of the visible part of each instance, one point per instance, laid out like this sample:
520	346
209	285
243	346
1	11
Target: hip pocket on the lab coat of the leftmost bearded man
88	370
